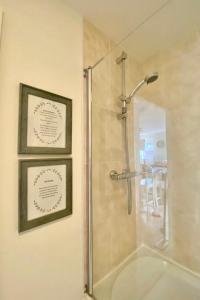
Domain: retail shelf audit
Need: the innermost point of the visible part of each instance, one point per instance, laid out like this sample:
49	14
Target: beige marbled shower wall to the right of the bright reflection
178	91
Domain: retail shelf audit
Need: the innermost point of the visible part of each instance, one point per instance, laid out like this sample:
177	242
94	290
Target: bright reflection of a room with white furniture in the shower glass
151	187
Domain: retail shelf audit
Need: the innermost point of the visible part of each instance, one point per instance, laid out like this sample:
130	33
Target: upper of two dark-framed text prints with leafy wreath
45	122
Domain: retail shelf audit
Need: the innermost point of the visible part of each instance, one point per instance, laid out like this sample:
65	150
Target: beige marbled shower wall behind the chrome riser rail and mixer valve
114	230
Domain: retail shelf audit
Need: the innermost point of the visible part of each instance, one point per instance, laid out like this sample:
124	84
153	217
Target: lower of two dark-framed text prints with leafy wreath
45	191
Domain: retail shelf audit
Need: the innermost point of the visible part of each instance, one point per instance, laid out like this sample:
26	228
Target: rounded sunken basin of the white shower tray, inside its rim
149	278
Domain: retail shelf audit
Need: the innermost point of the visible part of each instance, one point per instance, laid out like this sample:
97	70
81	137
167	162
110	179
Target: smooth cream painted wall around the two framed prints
42	47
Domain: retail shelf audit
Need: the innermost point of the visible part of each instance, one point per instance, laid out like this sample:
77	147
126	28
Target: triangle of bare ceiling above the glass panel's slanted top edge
116	18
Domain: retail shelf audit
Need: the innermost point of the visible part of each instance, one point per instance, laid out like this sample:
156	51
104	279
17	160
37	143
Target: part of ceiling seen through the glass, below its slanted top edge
177	22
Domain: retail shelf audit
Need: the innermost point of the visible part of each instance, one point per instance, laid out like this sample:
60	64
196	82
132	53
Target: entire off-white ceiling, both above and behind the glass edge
155	24
